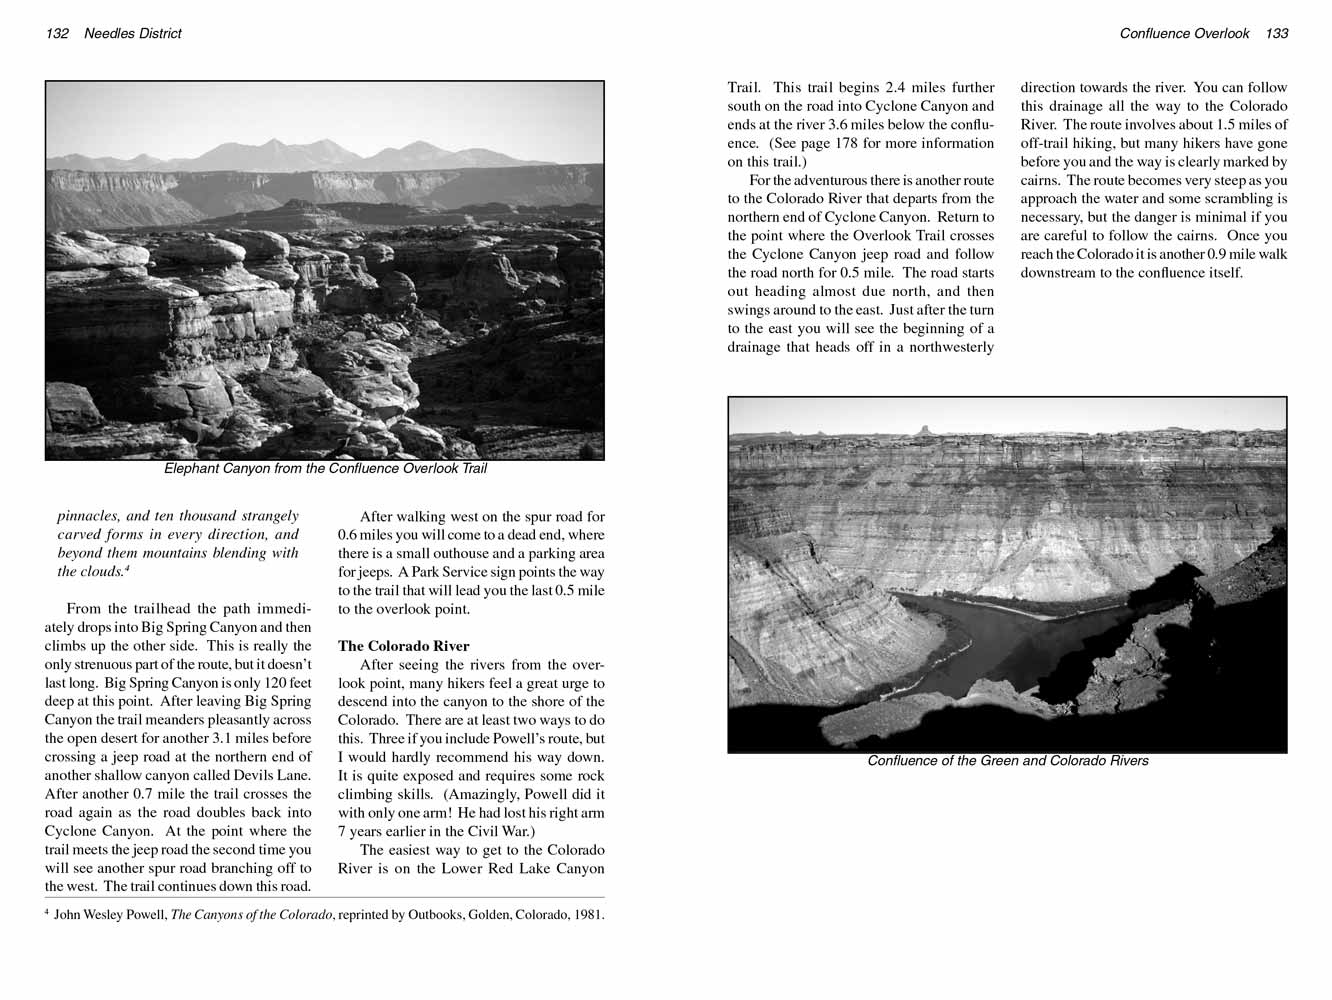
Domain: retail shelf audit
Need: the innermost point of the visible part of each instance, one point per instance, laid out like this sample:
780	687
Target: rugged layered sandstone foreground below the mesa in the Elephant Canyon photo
255	344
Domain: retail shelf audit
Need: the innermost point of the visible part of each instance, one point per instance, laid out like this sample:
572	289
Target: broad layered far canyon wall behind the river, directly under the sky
1041	517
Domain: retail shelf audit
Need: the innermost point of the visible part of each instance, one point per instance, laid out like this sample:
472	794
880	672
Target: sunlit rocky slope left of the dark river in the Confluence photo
804	634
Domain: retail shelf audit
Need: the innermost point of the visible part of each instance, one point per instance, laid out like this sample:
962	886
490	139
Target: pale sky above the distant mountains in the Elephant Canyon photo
529	122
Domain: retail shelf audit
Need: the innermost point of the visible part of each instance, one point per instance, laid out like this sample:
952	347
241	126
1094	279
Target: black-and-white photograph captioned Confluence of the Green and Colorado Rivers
986	575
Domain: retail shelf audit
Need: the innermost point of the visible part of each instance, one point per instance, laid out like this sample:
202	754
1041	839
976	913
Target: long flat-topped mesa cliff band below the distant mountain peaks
87	200
